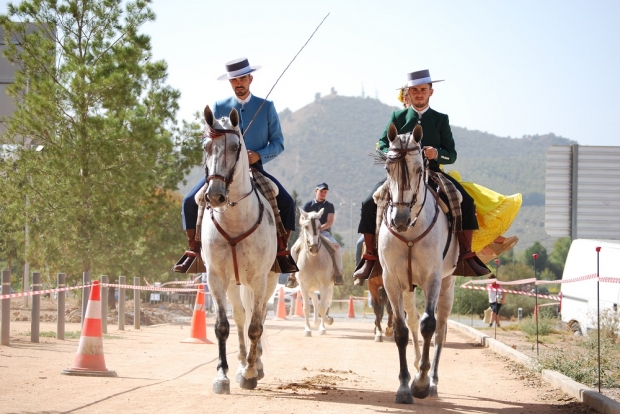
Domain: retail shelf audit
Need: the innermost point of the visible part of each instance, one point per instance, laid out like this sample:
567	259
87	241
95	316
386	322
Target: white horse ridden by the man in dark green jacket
416	248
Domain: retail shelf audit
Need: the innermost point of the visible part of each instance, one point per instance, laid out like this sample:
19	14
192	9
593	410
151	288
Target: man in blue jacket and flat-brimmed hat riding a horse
264	142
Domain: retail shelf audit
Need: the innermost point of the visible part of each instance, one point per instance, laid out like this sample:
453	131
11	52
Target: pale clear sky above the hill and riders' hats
511	68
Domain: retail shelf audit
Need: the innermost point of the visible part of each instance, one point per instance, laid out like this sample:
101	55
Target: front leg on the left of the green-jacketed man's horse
401	337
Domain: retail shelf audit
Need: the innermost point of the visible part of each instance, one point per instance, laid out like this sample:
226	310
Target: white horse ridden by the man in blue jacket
238	248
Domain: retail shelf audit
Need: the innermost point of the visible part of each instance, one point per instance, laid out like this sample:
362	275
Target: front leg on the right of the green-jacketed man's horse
421	382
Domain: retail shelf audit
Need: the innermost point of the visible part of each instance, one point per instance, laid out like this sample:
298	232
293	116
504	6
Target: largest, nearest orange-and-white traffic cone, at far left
89	360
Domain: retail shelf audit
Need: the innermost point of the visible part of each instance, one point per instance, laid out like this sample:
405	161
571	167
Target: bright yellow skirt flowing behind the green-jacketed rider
495	212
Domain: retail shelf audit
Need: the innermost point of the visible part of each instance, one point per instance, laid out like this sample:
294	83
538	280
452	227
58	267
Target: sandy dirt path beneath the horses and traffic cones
344	371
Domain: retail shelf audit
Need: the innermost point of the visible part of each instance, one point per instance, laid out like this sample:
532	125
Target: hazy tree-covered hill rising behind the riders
331	140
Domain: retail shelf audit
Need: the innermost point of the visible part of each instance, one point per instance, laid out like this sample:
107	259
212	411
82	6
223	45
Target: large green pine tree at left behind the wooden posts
101	194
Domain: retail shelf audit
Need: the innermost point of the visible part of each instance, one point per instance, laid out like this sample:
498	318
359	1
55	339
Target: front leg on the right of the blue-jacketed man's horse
249	379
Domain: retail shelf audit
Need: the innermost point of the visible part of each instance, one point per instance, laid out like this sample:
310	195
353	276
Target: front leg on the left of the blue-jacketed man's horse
221	383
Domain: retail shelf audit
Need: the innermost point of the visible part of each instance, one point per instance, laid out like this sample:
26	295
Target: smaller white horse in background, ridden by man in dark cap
316	269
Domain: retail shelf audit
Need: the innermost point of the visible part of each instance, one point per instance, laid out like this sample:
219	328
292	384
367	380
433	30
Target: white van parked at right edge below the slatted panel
579	304
